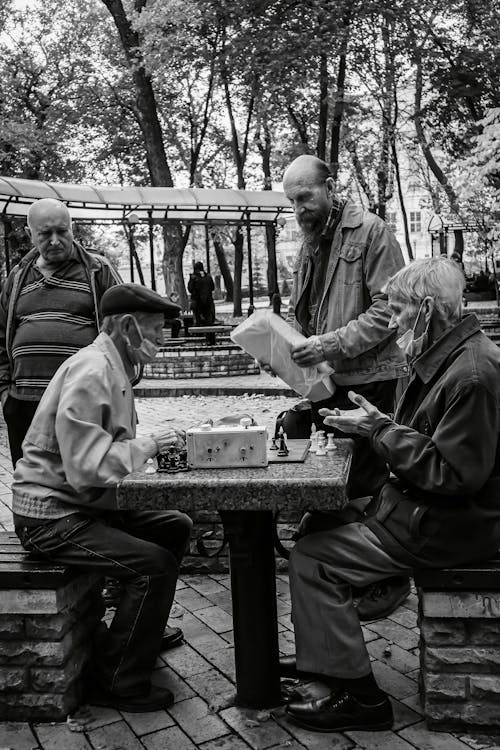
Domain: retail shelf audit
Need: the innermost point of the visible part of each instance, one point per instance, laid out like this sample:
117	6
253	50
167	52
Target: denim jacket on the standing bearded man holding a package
353	314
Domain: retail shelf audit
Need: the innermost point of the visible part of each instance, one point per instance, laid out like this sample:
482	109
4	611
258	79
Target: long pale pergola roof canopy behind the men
107	204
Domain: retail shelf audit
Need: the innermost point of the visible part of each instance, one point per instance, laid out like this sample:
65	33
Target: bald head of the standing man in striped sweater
49	227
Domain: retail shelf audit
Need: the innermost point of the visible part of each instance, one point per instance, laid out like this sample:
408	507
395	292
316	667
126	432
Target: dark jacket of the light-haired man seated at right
443	505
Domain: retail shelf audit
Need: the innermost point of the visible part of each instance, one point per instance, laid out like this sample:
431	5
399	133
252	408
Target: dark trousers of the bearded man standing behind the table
368	471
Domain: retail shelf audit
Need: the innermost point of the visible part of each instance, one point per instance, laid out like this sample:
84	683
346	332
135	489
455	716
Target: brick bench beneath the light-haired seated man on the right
459	613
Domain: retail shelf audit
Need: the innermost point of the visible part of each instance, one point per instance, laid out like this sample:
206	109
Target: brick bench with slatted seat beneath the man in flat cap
48	616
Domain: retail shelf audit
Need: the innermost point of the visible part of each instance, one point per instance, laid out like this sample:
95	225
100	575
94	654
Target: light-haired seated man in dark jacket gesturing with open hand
440	507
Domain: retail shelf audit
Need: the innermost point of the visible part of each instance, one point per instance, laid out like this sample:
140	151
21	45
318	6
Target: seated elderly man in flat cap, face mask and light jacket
81	442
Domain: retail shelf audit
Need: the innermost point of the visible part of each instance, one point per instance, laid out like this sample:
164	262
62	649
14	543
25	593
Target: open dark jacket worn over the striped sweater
101	275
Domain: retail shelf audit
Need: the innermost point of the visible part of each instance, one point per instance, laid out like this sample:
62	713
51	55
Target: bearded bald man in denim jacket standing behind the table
337	301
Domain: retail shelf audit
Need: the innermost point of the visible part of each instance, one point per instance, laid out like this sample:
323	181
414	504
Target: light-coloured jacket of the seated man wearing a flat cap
82	438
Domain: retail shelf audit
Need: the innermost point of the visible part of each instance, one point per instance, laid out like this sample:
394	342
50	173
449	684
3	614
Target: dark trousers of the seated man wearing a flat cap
143	550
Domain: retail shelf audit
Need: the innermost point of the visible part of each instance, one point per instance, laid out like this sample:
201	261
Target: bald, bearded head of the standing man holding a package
309	186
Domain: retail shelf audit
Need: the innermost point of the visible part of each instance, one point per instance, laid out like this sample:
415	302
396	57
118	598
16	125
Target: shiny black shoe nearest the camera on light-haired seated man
341	712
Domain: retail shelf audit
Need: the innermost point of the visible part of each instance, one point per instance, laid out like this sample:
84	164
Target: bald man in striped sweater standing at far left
49	309
